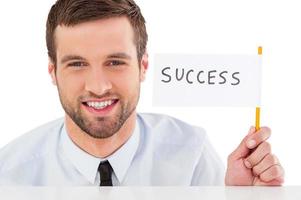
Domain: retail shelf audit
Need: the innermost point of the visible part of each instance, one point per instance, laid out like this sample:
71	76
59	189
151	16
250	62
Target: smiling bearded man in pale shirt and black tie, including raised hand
97	60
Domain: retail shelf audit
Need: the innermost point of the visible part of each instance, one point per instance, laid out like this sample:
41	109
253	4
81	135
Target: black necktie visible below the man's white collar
105	171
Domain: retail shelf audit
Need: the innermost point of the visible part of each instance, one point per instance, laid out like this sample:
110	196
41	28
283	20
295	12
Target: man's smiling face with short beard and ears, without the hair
97	74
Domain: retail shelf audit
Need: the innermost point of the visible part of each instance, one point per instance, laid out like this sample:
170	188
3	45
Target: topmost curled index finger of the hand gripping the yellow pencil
257	138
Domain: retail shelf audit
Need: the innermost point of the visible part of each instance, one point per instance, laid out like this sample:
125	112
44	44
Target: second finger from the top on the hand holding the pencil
260	152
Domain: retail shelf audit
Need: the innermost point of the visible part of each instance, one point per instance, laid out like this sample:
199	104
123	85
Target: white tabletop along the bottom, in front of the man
151	193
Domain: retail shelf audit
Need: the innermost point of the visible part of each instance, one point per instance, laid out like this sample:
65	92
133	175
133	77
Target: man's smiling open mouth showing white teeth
100	107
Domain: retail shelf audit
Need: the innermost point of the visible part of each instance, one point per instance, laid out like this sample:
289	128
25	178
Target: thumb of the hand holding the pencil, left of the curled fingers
242	150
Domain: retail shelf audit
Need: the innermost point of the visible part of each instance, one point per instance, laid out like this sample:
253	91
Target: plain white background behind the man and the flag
28	98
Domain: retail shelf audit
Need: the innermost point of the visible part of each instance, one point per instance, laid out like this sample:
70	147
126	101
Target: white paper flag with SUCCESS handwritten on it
207	80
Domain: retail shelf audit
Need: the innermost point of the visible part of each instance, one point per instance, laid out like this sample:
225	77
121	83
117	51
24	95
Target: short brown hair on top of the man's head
73	12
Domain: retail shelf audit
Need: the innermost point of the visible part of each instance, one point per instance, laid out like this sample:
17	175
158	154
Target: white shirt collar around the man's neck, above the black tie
87	164
